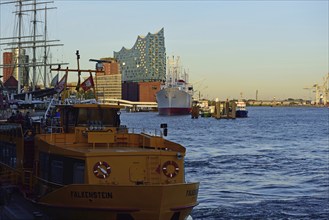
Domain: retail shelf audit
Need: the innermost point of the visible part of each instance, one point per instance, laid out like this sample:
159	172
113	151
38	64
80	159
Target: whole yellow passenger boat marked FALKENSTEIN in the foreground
91	167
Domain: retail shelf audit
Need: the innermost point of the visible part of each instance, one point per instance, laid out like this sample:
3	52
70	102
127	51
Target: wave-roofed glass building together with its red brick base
143	67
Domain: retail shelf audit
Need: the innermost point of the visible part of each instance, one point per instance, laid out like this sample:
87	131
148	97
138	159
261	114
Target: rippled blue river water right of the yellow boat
272	165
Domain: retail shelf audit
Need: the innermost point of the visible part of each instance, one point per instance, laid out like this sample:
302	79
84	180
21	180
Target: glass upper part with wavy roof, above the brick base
145	61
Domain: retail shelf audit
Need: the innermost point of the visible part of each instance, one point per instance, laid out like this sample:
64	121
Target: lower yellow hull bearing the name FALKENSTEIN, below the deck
173	201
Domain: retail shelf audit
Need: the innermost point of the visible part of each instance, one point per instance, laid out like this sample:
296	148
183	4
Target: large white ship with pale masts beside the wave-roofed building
175	96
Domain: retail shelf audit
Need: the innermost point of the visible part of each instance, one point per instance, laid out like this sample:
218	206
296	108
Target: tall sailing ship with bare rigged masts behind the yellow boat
25	66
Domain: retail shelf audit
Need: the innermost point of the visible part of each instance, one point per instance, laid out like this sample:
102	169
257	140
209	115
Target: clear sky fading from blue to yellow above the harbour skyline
277	48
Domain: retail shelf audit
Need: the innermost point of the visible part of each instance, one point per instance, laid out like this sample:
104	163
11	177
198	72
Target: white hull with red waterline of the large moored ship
172	101
